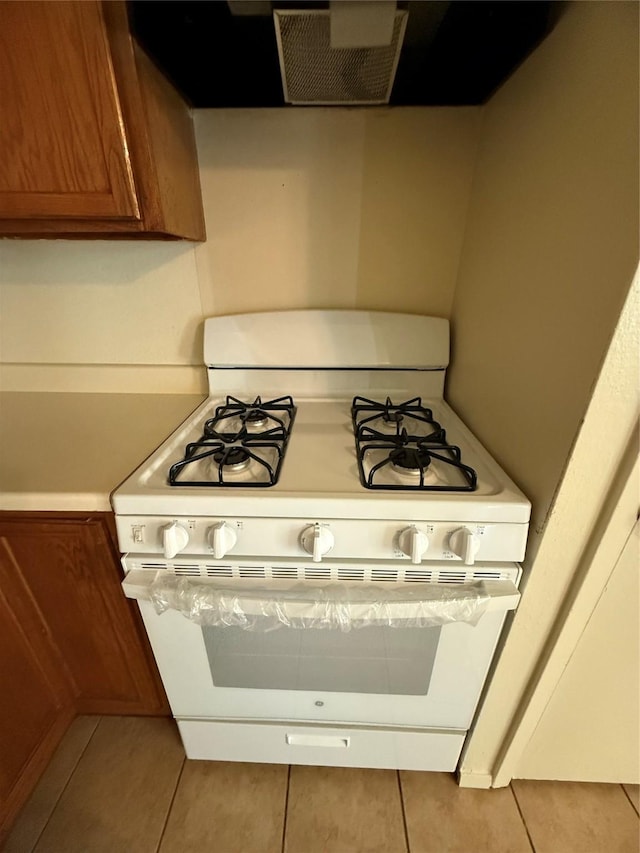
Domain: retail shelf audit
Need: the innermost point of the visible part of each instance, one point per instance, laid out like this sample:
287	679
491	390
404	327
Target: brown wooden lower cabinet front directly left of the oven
73	573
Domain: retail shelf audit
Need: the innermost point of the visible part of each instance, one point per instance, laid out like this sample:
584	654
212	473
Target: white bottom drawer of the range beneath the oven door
283	743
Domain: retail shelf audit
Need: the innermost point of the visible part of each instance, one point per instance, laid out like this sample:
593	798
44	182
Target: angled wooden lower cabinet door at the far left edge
36	705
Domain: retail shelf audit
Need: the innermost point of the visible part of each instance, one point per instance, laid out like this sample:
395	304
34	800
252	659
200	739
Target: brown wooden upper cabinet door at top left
64	150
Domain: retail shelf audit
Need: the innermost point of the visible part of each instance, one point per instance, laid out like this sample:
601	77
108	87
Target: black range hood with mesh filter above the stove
254	53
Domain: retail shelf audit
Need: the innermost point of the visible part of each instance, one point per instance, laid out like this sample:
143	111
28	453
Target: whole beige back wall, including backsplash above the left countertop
304	209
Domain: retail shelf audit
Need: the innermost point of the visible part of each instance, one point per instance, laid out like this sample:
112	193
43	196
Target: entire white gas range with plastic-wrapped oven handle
323	553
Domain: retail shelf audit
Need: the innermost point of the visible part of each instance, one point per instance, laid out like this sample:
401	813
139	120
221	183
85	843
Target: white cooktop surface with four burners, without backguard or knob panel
317	464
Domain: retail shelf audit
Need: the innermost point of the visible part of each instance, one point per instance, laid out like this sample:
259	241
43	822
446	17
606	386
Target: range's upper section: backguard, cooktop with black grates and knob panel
334	429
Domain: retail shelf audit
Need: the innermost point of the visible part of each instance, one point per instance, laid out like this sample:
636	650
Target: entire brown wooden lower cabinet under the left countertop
71	642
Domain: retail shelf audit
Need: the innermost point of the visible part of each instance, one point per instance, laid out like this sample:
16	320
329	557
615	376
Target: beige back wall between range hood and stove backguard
331	208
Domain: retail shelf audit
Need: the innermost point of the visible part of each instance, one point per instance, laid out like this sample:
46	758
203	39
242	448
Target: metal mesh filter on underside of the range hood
315	73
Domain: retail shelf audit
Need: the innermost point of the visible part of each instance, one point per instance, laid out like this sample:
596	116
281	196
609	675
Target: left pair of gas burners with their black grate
243	444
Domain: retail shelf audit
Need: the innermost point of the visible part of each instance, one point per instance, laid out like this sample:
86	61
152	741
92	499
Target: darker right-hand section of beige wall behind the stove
417	173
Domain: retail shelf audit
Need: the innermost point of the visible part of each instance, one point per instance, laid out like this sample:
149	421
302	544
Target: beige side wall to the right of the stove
551	244
